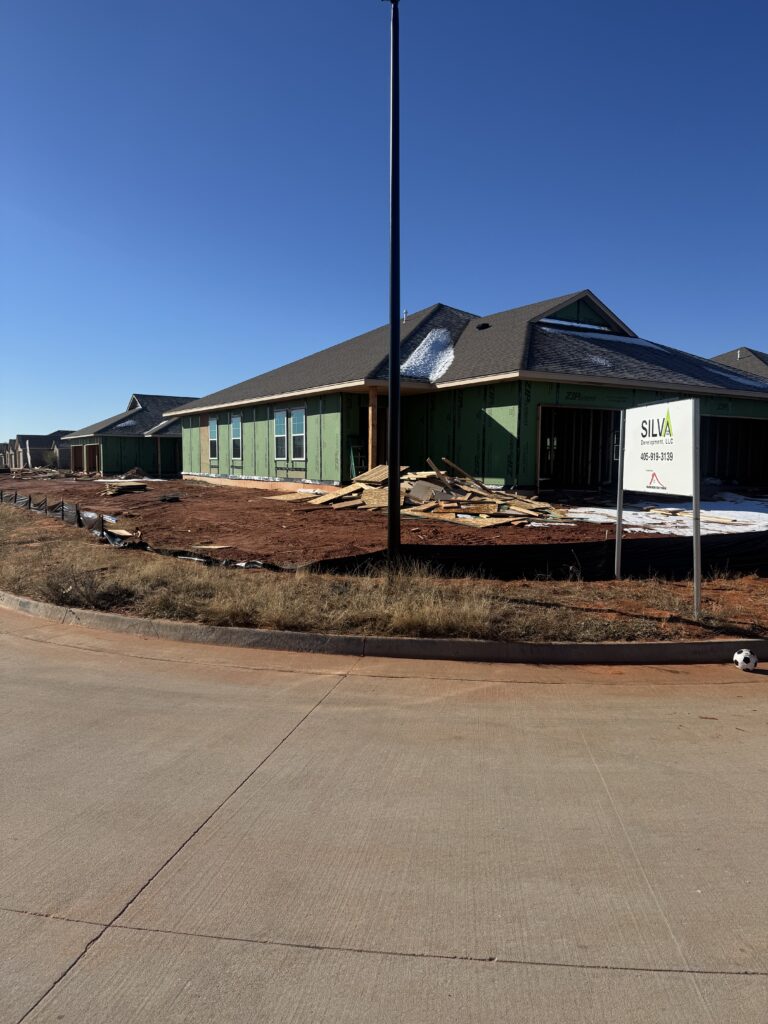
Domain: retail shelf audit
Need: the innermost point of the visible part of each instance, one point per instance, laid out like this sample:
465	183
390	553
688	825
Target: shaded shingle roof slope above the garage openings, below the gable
592	355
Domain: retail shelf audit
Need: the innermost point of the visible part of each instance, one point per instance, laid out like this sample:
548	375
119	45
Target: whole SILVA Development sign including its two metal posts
660	454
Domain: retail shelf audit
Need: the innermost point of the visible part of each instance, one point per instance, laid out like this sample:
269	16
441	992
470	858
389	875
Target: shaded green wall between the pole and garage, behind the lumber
477	428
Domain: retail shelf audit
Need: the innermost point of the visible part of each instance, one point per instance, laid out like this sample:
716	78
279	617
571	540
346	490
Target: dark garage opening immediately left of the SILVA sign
578	449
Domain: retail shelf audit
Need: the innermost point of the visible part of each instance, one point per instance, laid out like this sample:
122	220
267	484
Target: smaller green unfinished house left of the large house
141	437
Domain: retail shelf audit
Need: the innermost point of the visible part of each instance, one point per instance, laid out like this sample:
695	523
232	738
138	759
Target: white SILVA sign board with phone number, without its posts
659	449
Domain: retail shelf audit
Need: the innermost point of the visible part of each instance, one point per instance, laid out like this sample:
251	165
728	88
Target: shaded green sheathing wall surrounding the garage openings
536	394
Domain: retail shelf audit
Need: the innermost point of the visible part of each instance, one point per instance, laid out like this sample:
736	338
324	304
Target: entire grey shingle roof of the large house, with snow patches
572	336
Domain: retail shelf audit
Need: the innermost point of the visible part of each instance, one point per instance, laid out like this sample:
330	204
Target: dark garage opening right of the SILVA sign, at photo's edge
736	451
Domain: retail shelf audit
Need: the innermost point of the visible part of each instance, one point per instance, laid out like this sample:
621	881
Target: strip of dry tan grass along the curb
45	560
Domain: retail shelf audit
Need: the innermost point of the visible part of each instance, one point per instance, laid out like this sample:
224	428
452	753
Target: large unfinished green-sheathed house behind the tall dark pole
529	398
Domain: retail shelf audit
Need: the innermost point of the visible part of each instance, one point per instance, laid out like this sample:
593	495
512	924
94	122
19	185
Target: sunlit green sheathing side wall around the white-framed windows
323	444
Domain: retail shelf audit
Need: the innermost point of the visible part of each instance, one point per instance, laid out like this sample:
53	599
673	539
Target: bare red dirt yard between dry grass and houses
249	526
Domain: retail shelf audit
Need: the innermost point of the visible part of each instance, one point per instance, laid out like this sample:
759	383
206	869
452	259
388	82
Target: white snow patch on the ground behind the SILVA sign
745	516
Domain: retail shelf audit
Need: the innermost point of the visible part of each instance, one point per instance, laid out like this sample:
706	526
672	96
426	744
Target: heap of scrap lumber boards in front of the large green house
451	496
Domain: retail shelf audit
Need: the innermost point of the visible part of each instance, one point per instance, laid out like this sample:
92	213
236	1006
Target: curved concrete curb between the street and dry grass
664	653
